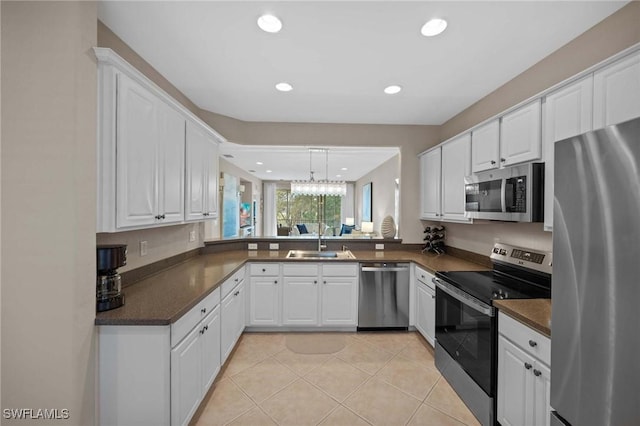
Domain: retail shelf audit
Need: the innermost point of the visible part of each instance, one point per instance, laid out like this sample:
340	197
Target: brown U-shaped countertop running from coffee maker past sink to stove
162	298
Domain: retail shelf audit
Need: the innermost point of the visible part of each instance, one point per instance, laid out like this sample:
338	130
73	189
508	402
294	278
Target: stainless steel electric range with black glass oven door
467	323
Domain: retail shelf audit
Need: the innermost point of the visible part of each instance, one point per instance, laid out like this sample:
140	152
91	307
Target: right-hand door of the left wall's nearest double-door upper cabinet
171	148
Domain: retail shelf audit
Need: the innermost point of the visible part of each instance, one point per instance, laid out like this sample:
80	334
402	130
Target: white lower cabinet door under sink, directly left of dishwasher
339	301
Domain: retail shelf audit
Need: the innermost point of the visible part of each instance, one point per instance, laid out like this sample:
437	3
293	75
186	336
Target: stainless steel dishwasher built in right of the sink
383	302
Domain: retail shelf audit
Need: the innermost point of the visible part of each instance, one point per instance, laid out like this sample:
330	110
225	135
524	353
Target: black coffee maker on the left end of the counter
109	283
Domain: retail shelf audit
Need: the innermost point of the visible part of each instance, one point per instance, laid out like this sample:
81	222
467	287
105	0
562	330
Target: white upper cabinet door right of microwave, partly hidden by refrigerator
568	112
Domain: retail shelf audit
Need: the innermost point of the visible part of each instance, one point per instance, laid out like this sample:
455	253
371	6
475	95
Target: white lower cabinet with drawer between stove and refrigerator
524	375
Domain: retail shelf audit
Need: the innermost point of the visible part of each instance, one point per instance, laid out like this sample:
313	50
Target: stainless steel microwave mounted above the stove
514	194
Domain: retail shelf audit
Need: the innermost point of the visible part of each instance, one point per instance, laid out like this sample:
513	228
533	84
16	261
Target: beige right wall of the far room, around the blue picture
383	179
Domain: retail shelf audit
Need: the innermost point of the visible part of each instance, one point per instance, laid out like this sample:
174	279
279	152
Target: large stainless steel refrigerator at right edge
595	326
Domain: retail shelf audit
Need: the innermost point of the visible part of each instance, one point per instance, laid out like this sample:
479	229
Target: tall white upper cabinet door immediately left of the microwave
456	164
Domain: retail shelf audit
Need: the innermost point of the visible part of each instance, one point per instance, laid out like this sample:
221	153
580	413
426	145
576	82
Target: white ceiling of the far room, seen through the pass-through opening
293	162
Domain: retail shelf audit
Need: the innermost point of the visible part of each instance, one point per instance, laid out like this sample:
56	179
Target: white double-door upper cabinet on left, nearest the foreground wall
149	160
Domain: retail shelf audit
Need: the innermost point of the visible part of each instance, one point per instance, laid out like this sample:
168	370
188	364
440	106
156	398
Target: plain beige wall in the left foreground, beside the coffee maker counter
49	207
